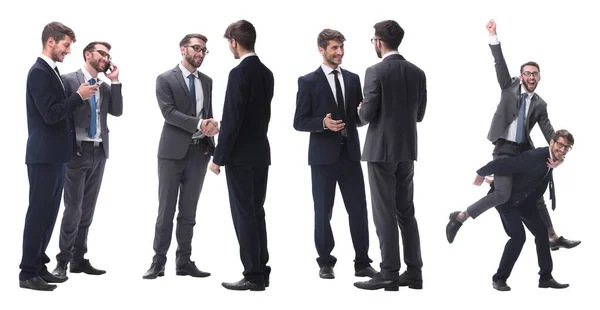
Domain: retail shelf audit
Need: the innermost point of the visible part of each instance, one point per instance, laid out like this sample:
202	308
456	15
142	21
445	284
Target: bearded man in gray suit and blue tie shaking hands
184	96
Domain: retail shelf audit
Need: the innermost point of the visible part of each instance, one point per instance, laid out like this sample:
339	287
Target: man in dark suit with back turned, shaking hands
243	148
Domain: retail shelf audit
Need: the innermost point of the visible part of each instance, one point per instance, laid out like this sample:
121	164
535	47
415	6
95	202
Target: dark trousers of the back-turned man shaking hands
247	187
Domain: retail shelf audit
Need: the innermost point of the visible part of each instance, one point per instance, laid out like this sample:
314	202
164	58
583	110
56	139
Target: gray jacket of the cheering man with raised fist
508	108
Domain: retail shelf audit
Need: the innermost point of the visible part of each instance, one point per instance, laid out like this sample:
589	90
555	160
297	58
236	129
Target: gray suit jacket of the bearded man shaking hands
179	111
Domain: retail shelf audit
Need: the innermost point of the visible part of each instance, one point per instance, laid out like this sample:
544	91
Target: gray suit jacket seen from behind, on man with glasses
395	97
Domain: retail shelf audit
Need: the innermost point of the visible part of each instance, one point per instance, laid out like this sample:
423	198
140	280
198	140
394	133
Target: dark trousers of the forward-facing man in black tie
349	176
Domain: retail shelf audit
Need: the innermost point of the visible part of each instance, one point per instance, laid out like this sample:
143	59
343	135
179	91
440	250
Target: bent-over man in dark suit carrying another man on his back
531	174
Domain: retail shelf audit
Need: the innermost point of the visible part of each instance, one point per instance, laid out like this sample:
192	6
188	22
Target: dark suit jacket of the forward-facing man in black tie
314	101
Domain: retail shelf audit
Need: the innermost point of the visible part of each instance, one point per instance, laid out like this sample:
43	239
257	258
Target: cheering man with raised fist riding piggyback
520	108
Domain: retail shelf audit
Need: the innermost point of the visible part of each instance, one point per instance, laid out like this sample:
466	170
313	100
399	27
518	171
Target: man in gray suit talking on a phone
85	171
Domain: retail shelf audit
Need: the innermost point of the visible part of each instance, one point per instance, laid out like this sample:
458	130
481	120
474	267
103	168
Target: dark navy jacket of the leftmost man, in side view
49	122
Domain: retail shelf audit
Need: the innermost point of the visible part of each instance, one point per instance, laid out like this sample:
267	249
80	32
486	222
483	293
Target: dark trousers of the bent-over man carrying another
512	221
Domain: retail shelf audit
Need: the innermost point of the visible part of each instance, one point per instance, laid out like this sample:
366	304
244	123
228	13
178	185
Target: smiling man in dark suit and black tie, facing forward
326	107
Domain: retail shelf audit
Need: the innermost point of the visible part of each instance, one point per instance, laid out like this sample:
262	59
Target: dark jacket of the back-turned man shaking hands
246	114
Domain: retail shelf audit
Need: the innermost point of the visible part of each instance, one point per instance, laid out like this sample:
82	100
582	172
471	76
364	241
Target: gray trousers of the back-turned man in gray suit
392	191
